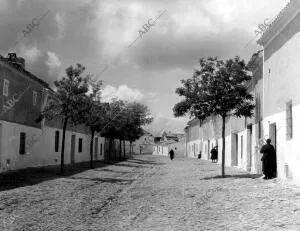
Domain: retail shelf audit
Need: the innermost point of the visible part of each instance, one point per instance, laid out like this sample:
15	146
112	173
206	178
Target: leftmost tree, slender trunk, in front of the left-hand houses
71	93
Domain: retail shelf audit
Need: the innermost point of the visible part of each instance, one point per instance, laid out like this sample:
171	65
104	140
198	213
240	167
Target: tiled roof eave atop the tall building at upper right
283	18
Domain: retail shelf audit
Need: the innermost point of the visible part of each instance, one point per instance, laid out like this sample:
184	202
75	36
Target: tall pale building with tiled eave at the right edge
281	96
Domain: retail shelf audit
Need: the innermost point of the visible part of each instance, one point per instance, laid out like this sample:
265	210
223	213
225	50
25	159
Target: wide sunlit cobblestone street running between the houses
153	193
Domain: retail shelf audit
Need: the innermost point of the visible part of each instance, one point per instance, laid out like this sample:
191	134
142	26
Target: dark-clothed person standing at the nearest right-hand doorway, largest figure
268	159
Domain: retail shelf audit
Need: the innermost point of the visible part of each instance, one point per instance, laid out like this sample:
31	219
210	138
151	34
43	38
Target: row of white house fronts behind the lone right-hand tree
242	135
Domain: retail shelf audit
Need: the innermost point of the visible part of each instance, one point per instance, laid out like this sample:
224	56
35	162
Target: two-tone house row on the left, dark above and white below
26	140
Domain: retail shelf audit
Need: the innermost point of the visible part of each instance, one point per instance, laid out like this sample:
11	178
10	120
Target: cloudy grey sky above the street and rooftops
98	33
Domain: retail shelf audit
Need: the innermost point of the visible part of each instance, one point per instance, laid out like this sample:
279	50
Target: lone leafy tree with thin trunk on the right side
219	88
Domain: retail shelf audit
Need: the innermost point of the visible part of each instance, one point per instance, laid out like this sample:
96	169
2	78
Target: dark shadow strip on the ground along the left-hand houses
32	176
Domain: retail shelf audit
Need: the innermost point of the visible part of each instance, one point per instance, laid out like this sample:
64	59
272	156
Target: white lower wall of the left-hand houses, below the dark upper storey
41	152
